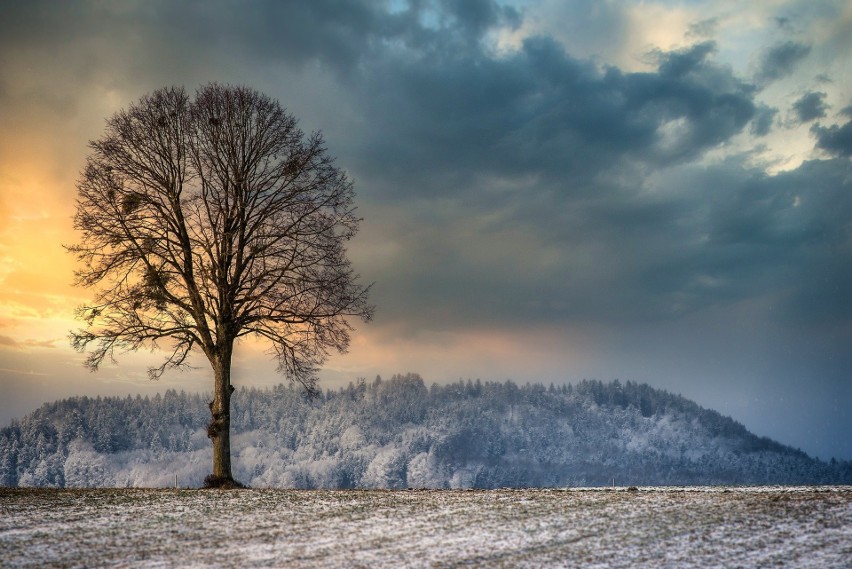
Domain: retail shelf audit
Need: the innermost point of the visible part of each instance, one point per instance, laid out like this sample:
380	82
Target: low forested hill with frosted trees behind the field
400	433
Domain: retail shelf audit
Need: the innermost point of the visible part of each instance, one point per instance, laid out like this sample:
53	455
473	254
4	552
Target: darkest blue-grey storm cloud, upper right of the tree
448	115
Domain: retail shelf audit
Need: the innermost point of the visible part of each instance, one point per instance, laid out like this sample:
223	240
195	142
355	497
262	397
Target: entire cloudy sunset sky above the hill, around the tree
654	191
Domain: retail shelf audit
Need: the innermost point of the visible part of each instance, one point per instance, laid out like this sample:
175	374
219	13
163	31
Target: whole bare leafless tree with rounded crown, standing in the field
207	220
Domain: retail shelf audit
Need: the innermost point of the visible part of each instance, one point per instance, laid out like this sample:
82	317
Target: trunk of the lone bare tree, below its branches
219	429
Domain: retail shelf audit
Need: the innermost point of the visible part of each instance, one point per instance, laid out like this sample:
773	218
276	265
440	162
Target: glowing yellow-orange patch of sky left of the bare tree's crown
43	147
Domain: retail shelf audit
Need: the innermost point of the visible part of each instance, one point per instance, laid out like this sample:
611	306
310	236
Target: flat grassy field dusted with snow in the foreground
648	527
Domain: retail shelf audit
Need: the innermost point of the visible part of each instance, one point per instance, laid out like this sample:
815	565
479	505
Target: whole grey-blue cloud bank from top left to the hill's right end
529	188
